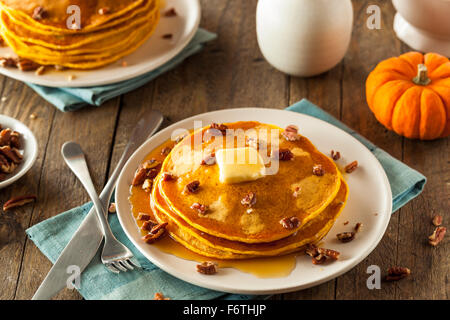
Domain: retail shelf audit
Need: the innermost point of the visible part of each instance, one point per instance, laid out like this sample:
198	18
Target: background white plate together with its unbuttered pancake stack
133	40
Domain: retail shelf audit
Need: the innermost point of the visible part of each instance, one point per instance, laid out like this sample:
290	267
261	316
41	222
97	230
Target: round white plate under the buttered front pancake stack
370	193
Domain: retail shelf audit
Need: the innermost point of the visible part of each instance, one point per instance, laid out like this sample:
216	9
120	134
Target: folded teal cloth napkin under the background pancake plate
71	99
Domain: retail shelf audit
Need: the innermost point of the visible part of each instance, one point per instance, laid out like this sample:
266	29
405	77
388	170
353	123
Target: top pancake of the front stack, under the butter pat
289	189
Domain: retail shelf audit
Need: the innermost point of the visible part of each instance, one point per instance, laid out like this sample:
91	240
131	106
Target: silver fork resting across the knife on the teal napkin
115	256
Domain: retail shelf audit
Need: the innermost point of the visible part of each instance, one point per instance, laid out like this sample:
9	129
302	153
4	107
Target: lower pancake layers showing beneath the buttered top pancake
211	246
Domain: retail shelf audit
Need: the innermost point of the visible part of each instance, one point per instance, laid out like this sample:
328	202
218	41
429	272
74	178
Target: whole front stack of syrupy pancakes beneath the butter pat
230	229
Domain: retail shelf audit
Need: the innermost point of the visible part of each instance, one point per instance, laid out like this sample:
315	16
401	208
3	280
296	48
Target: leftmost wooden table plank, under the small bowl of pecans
19	101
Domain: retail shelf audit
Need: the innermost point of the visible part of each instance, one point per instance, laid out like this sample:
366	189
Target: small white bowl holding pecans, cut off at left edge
30	149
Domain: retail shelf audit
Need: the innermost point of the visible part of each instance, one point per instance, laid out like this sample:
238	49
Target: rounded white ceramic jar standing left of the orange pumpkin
304	37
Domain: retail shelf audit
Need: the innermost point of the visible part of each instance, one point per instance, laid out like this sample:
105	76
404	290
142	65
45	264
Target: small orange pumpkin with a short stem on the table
410	95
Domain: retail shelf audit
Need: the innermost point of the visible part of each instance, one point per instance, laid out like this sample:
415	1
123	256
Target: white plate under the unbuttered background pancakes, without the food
151	55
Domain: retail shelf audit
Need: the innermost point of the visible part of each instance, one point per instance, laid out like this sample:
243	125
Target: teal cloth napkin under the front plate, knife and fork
52	235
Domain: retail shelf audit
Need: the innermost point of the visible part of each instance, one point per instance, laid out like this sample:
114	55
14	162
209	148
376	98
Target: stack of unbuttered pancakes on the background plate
44	31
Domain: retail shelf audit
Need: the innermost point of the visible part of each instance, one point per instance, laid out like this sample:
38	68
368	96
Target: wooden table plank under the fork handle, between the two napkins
59	189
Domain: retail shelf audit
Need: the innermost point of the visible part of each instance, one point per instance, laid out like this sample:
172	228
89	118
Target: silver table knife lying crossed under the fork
84	244
